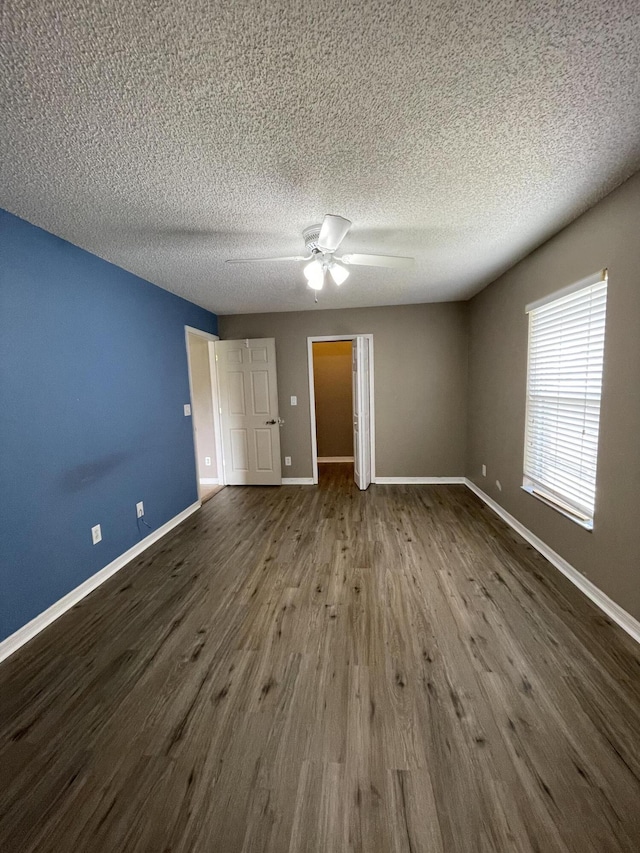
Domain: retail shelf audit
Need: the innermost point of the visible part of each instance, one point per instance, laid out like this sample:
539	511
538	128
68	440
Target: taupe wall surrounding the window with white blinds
606	236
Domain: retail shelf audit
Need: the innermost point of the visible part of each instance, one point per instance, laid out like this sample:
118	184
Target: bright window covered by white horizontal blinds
564	383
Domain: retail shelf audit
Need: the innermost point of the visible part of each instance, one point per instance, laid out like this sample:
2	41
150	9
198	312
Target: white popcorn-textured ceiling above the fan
166	137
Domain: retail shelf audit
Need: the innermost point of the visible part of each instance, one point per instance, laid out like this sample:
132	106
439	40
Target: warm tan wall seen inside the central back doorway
333	393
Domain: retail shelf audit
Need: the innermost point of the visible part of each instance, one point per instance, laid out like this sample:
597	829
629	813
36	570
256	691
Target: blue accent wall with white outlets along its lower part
93	379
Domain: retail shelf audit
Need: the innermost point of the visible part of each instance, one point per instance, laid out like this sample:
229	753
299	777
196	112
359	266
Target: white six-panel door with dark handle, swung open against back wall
250	426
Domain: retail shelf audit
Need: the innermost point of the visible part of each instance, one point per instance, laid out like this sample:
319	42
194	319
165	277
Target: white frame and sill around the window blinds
528	482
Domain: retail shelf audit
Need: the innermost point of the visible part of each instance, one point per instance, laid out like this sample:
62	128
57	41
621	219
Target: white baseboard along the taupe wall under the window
620	616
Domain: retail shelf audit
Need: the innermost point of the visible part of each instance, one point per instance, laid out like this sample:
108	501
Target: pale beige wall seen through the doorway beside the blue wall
202	406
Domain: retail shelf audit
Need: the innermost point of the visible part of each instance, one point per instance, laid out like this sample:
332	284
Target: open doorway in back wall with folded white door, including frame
341	397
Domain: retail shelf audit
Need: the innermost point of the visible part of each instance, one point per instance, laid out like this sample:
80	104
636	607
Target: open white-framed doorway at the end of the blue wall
204	411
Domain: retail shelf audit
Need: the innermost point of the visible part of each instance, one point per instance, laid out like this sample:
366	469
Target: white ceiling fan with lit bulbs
321	243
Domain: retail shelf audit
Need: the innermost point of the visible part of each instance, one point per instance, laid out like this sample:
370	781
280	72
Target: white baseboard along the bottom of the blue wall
28	631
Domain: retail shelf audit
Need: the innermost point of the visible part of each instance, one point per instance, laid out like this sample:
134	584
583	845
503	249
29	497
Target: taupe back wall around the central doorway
420	377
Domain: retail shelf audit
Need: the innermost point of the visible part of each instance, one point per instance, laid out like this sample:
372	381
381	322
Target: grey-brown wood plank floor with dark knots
319	669
